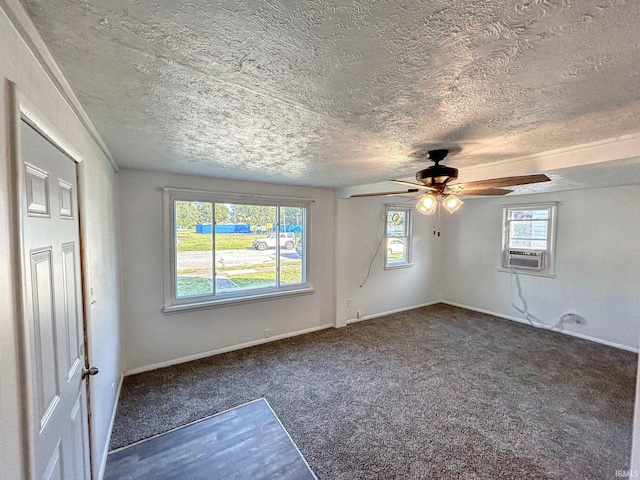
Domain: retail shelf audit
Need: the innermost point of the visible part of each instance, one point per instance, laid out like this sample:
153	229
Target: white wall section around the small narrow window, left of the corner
361	225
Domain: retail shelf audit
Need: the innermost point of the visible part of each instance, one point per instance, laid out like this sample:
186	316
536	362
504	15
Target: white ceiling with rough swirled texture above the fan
340	93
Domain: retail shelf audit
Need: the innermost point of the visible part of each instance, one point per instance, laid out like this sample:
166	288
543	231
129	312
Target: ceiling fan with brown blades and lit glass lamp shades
437	189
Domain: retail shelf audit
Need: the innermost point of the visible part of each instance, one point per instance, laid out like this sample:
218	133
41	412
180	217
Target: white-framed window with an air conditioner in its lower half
528	238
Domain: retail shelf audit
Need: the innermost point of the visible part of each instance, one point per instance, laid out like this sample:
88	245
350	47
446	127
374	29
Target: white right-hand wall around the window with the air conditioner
597	262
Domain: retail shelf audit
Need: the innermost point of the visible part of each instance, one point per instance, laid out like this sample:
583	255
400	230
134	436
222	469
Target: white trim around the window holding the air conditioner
550	255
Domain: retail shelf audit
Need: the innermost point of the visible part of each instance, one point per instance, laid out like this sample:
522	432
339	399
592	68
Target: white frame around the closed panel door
21	108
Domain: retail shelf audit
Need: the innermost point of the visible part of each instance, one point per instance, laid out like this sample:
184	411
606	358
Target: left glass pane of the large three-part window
194	263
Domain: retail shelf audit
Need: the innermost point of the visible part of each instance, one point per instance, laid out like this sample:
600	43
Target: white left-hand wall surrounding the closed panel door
100	236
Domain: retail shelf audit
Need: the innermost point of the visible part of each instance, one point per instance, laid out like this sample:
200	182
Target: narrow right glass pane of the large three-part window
292	245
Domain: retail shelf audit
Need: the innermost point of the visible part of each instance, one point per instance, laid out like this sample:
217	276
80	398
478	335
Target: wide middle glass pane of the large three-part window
245	242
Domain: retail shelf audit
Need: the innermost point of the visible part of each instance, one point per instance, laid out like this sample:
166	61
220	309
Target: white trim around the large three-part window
172	304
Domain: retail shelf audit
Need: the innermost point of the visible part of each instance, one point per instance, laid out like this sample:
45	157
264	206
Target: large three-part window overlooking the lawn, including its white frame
224	248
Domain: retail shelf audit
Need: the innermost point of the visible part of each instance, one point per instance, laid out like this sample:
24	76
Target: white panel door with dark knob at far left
53	310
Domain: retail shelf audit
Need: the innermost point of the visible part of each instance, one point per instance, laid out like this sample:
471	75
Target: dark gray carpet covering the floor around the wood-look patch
436	392
